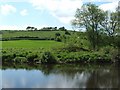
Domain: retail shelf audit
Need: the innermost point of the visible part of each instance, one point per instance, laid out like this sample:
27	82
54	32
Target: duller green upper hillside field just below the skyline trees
40	34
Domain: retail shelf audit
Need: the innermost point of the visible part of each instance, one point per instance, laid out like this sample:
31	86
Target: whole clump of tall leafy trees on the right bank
99	25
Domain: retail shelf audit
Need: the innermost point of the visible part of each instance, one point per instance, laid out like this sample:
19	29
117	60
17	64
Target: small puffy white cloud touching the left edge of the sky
7	9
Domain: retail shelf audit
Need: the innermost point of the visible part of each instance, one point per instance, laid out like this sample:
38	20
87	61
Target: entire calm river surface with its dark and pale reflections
61	76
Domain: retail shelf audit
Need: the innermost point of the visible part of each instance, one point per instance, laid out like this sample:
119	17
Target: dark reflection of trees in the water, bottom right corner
104	78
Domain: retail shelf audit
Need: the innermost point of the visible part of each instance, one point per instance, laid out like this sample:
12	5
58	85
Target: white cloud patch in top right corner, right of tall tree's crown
109	6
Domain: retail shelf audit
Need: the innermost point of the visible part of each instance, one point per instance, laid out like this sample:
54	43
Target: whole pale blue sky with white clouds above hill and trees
18	14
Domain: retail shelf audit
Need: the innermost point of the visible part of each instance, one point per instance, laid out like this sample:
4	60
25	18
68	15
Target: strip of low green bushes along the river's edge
43	56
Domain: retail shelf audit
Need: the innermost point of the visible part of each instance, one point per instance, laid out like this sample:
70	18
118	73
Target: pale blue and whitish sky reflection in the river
36	79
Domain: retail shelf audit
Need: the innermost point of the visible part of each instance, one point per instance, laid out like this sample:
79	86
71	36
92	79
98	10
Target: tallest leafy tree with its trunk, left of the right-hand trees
89	17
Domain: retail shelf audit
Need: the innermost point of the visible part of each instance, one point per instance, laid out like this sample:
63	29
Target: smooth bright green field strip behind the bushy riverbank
30	44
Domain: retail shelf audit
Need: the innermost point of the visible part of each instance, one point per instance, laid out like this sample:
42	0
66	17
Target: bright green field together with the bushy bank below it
30	51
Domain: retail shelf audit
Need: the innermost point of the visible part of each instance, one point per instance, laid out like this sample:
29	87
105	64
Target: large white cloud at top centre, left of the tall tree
63	10
